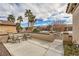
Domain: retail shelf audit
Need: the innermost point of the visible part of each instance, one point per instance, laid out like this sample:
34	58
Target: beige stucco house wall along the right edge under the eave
76	26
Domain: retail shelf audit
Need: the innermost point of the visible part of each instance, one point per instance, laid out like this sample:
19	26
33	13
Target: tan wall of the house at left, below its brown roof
8	28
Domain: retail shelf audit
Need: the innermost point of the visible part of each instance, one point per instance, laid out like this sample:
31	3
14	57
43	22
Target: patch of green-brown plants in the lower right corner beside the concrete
70	49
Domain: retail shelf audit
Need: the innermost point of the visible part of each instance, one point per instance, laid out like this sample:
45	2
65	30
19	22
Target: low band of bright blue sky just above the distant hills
49	21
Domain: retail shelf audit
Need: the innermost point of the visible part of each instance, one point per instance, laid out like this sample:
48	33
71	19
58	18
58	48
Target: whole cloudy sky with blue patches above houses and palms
45	11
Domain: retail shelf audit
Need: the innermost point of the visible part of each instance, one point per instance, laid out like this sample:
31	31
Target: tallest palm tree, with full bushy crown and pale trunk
31	17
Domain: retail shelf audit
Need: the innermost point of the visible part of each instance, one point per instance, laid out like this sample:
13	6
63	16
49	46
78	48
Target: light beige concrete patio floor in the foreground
36	47
